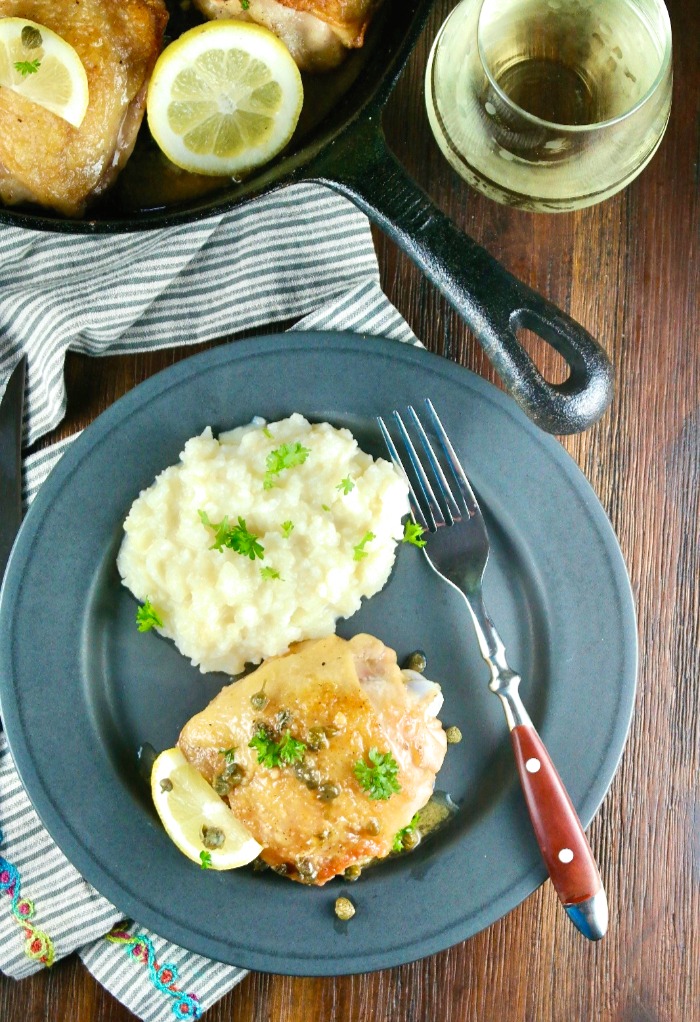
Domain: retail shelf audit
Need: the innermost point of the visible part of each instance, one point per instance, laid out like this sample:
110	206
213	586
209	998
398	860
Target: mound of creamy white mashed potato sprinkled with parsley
328	527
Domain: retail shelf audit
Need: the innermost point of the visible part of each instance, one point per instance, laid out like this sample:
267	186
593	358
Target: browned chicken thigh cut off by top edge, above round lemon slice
317	33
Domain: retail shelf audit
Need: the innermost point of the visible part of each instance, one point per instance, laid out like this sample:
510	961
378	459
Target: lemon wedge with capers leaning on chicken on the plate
199	822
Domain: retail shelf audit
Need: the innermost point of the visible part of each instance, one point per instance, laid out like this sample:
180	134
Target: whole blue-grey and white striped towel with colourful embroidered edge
305	253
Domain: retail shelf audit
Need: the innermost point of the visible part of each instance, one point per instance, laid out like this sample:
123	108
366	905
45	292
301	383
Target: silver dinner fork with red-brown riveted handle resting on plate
457	548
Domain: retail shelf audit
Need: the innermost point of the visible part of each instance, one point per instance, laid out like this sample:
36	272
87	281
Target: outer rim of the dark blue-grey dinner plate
177	375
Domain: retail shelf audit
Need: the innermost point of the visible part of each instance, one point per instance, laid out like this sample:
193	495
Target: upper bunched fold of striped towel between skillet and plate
269	262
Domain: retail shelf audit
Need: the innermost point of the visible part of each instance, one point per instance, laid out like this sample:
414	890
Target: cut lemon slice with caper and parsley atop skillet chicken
40	66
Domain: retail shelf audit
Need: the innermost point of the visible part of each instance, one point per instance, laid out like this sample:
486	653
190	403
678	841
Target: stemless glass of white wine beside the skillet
551	105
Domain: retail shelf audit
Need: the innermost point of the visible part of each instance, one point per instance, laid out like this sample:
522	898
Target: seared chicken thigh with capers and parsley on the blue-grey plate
348	704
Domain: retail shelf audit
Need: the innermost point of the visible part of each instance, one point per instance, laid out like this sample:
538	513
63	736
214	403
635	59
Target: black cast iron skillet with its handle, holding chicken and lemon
347	152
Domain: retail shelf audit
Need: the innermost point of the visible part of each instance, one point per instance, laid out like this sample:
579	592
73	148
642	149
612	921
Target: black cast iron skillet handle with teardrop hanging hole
492	302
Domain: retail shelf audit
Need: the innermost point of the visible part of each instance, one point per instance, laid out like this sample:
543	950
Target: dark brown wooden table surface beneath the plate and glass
629	271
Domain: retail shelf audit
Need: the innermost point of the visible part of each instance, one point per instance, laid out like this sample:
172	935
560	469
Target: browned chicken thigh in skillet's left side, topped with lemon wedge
45	160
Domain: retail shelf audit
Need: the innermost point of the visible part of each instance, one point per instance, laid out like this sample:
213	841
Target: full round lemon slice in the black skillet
224	99
